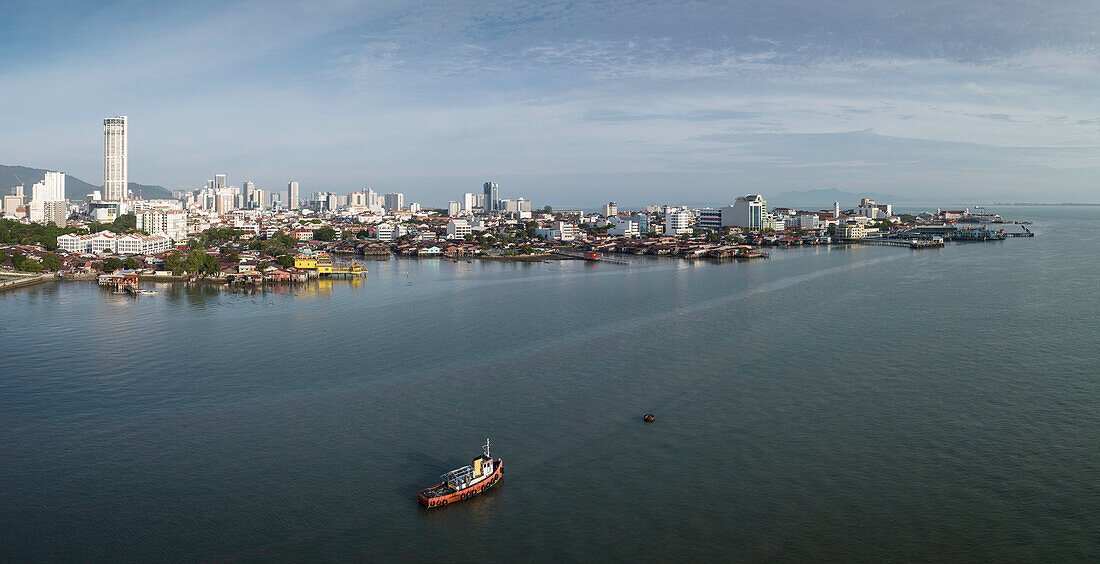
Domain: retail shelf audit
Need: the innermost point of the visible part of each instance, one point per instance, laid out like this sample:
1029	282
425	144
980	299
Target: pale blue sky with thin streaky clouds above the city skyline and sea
567	103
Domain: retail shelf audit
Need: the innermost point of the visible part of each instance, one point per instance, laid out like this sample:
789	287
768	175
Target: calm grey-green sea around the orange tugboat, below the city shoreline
828	404
